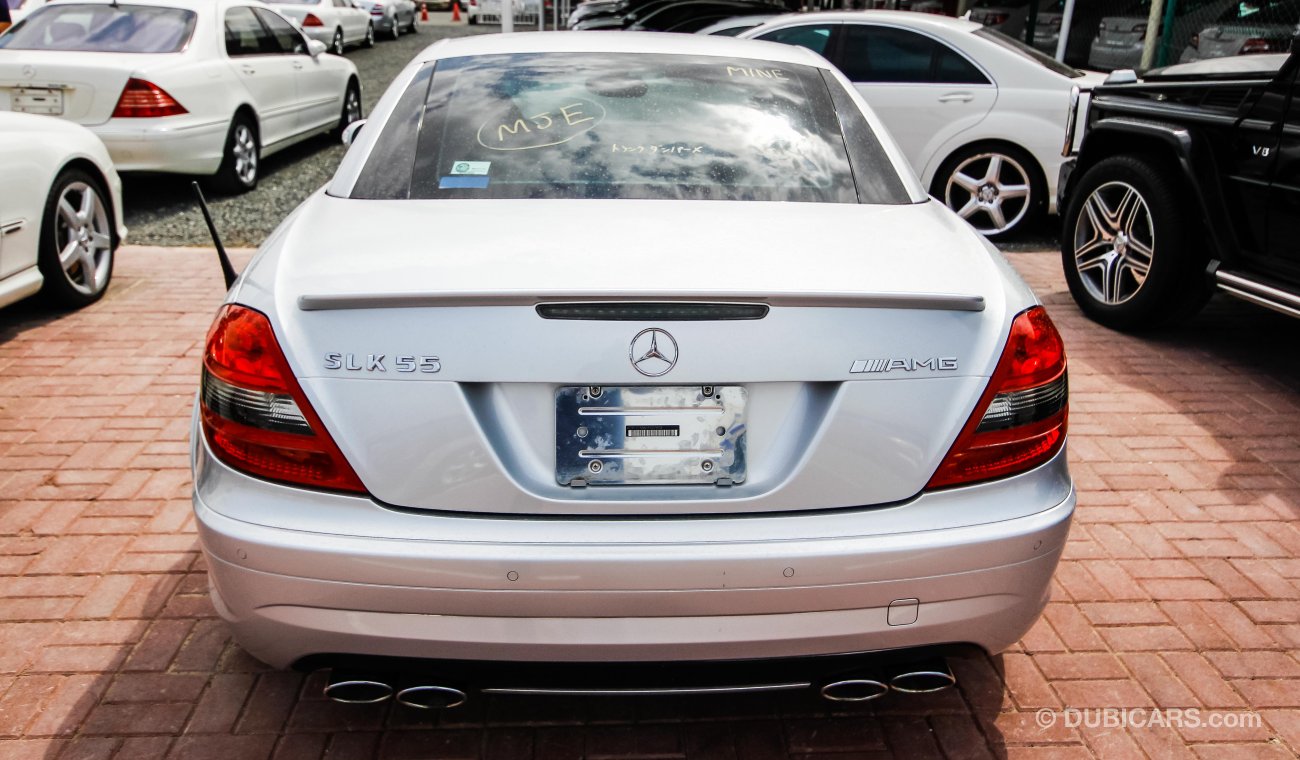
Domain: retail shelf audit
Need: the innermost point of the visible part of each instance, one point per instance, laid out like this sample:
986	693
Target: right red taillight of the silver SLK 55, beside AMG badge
1021	420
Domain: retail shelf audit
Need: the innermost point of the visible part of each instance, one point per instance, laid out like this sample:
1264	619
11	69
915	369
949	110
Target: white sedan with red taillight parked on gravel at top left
184	86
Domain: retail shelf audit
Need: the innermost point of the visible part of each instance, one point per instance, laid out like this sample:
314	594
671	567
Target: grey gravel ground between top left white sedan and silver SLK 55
161	209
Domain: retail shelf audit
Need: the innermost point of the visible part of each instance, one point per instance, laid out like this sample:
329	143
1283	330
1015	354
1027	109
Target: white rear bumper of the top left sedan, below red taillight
172	145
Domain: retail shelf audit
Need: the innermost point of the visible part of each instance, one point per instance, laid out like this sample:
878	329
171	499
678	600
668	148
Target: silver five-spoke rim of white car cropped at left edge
84	238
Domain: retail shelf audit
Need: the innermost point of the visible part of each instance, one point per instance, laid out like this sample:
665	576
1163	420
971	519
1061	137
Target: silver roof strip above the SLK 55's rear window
618	42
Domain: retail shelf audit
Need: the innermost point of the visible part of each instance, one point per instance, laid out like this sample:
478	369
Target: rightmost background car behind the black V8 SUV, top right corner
1247	28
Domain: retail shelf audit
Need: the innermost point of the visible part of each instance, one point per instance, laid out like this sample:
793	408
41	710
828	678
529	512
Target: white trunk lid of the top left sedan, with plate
86	86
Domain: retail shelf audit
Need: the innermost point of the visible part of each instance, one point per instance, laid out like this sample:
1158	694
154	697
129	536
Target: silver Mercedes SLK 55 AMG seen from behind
612	349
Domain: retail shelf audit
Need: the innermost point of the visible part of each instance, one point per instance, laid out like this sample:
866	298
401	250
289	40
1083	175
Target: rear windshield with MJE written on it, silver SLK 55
642	127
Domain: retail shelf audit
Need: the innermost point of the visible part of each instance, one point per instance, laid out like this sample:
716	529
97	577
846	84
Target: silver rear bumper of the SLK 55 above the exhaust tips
552	590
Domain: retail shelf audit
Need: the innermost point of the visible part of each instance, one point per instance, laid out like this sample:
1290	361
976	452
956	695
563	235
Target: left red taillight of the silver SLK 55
254	412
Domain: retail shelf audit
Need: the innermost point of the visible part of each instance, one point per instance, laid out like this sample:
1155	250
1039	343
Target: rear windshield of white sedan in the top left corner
103	29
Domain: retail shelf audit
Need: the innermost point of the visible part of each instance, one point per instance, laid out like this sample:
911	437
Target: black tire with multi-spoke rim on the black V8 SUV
1152	228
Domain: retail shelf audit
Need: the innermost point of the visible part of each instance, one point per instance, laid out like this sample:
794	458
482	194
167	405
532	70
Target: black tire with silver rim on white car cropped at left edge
90	263
